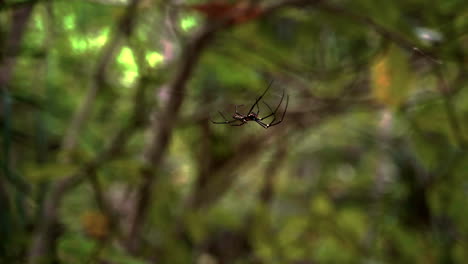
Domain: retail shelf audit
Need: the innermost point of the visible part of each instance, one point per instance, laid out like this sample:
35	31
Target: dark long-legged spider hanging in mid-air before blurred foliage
253	116
